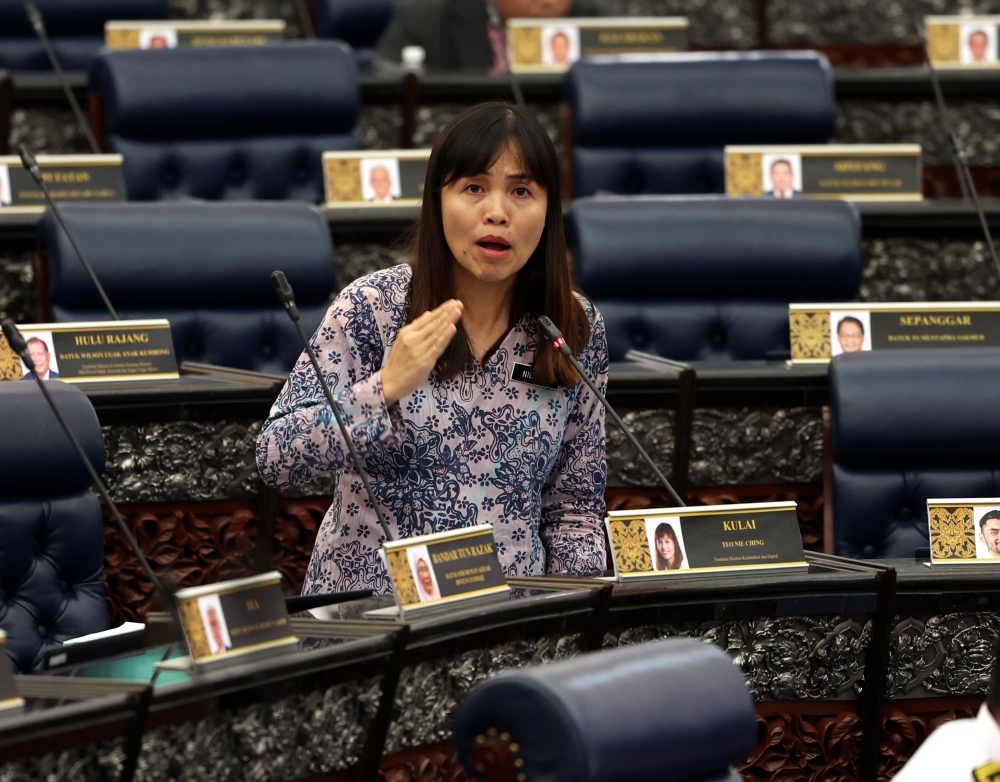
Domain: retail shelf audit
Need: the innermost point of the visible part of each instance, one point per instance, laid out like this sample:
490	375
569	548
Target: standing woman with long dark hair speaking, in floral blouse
462	413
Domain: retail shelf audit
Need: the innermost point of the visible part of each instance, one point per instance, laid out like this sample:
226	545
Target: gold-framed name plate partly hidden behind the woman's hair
375	178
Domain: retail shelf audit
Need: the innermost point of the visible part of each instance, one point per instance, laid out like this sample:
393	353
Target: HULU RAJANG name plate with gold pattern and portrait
92	352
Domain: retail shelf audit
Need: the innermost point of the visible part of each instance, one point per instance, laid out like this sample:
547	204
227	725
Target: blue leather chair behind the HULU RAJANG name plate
204	267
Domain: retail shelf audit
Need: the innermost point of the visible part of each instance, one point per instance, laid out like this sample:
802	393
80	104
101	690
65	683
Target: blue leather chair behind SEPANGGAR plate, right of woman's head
710	278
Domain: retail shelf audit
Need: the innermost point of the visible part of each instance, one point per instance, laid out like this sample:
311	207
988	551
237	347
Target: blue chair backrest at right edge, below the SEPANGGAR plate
909	425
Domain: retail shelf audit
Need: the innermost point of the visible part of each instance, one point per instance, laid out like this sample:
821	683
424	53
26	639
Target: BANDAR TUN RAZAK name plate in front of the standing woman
430	571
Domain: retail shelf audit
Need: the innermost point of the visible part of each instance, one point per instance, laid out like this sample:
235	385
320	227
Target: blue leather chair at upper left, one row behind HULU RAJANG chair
228	123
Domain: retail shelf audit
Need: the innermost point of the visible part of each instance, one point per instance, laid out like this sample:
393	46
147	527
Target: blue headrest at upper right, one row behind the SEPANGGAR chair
703	99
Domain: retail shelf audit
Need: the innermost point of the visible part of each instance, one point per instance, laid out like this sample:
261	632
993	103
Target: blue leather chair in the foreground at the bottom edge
663	711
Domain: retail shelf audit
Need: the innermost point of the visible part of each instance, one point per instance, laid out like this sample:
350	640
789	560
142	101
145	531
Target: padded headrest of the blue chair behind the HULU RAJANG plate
191	254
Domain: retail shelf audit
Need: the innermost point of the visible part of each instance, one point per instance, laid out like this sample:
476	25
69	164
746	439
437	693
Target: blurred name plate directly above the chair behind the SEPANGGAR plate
855	172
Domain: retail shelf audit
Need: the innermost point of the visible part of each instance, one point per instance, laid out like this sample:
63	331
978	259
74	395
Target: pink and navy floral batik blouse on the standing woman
483	447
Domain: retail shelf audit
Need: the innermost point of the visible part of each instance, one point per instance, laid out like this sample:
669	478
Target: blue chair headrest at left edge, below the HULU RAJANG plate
36	457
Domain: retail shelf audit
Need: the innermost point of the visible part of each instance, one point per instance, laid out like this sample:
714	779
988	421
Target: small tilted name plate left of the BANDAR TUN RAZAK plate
239	618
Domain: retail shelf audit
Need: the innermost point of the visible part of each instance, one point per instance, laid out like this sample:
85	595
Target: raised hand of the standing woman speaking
417	348
